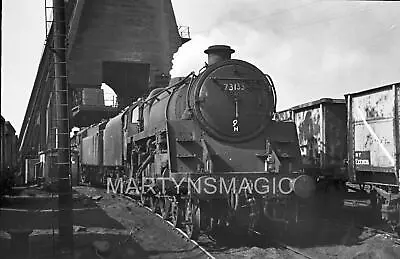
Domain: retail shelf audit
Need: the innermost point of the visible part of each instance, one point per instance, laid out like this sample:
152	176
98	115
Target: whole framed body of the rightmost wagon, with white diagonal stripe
374	136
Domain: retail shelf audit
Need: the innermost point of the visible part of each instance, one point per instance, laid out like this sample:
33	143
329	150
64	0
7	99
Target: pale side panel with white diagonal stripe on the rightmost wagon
374	143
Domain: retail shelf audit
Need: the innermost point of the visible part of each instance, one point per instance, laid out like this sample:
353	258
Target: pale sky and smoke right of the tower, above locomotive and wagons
311	49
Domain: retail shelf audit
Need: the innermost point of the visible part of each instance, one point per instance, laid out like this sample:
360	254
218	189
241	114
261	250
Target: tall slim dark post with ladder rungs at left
62	122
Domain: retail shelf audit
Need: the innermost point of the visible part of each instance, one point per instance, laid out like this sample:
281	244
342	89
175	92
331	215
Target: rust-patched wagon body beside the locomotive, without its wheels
321	129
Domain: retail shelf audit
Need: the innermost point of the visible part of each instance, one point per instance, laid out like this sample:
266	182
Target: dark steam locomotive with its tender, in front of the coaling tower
204	152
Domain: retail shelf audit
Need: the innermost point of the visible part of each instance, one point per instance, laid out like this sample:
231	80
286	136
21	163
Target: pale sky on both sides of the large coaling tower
312	49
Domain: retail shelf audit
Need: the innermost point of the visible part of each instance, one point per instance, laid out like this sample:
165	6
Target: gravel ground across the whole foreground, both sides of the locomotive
113	219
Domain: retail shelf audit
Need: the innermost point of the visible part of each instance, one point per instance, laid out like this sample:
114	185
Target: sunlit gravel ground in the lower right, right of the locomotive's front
325	239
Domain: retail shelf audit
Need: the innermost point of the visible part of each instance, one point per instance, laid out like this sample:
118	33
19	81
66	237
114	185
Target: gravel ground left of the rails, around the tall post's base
112	219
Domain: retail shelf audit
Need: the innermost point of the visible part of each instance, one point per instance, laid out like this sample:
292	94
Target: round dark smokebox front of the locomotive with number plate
233	100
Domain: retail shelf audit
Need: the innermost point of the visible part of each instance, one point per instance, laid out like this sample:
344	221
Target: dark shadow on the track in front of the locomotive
335	226
